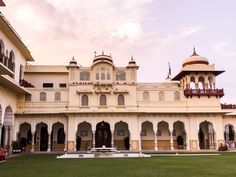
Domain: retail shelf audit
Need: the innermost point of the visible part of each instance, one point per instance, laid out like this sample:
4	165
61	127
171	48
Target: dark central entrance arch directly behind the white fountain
103	135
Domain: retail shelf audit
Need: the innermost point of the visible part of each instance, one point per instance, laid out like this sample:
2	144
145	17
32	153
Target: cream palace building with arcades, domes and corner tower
74	108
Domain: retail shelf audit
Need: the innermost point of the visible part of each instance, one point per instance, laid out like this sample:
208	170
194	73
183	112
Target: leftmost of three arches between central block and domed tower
147	136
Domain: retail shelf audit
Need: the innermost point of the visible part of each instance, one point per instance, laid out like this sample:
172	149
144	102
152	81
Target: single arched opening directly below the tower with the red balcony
206	135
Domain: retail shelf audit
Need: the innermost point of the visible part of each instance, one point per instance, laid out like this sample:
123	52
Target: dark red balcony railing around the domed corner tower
204	92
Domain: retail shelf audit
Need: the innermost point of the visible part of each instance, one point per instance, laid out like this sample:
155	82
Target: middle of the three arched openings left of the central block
41	137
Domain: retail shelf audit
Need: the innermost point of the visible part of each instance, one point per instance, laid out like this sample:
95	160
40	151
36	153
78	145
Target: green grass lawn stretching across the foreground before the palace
49	166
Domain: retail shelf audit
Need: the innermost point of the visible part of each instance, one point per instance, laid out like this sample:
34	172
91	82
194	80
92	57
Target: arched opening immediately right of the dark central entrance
121	136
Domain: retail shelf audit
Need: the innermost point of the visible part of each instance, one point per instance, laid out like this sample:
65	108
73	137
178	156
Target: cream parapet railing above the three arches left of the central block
42	104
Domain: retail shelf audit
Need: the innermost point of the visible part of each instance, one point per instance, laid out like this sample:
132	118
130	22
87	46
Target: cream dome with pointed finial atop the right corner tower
195	59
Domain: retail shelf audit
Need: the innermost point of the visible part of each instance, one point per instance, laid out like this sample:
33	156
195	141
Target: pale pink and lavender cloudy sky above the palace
154	32
